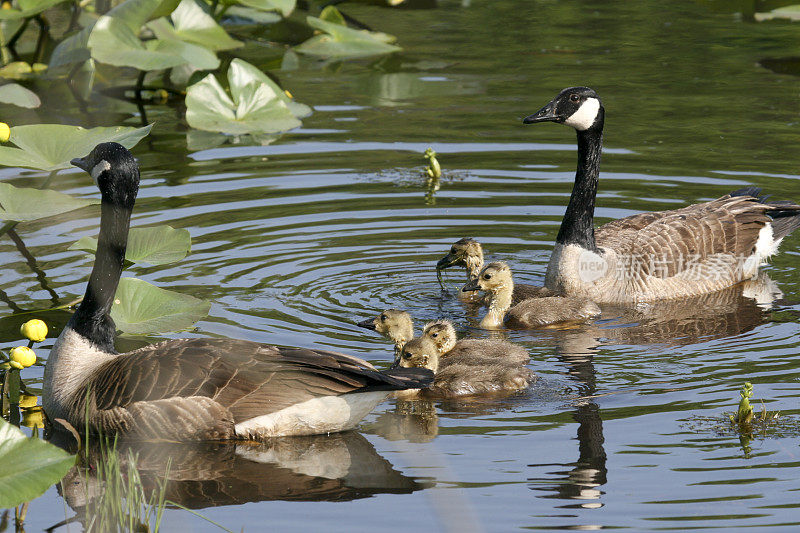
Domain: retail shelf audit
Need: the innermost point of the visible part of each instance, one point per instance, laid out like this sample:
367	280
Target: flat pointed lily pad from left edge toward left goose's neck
24	204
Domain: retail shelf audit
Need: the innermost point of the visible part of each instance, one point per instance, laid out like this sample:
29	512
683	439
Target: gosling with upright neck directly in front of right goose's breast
497	281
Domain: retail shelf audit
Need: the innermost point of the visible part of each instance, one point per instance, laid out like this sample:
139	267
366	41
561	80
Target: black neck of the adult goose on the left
92	319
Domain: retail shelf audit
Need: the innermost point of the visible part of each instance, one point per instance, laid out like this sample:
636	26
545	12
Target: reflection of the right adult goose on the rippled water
717	315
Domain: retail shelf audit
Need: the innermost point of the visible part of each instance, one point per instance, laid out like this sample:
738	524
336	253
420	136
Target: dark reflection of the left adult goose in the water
336	467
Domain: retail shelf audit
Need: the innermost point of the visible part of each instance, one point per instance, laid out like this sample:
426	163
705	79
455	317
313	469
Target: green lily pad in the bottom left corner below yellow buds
30	466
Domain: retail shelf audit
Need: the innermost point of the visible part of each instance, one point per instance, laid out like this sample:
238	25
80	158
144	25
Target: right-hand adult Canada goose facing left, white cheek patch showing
668	254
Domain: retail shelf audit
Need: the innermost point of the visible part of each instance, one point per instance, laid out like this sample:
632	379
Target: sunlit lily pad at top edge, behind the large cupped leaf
192	24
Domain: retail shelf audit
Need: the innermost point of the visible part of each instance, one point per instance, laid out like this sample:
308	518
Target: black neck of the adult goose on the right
578	224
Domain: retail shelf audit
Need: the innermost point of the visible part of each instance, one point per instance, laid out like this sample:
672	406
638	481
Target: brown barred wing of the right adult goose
664	244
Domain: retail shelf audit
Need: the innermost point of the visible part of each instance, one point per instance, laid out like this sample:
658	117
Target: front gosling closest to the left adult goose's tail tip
459	376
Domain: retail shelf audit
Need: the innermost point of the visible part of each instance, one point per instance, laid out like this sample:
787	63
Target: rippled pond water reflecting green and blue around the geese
296	241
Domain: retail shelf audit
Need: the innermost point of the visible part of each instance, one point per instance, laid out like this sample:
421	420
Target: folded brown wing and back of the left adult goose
248	378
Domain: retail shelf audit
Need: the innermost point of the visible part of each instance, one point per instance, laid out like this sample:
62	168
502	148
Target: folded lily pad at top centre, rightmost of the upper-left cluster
339	41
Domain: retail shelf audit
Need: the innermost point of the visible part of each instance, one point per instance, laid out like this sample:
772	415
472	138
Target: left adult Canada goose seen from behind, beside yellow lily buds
192	389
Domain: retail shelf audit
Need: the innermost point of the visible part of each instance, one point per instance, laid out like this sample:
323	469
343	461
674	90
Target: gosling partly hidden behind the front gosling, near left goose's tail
443	334
